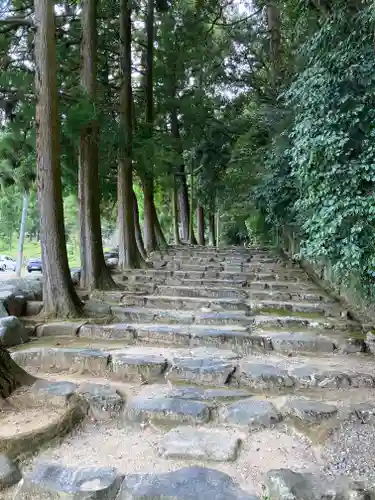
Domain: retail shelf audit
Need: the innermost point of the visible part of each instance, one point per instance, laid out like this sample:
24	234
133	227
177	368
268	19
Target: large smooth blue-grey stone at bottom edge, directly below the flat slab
190	483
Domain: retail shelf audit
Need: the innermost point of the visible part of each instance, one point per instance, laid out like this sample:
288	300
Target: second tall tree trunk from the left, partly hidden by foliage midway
94	271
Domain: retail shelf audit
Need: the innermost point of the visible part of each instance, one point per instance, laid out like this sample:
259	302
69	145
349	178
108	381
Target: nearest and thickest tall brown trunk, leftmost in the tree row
59	296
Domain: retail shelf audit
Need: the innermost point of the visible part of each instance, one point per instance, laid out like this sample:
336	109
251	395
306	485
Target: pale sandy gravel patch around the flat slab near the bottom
131	450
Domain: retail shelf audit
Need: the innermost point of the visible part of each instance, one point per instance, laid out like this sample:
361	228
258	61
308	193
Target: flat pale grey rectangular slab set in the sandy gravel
194	443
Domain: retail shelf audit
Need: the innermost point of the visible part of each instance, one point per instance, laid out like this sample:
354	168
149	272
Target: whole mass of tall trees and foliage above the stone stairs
187	121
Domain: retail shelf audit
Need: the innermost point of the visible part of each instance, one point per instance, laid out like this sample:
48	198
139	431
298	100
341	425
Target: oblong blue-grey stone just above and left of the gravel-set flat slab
166	409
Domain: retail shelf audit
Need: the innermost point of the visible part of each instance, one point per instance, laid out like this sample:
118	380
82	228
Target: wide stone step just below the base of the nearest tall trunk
238	338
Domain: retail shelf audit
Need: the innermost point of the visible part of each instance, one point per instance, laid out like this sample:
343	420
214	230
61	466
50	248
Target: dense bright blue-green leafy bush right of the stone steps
320	172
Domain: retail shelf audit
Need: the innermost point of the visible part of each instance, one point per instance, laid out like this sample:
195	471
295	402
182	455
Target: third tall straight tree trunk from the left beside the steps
128	252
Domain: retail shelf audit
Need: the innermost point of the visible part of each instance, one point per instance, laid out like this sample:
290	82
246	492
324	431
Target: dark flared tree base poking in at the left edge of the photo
12	376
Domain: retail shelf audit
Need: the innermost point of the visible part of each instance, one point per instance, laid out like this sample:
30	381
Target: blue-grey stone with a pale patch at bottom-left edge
56	482
